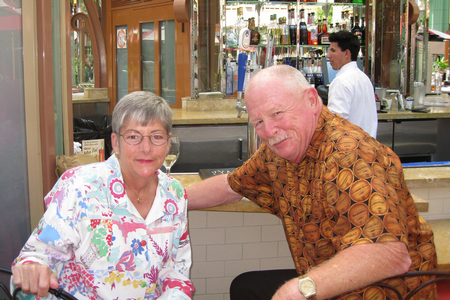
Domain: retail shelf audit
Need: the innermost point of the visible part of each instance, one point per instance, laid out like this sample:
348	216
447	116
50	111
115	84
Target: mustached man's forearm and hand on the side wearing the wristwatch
355	267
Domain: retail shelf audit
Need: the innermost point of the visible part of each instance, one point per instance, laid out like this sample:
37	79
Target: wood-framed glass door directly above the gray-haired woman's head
145	54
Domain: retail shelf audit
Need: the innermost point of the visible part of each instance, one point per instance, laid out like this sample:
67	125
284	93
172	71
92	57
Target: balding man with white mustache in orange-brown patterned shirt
349	218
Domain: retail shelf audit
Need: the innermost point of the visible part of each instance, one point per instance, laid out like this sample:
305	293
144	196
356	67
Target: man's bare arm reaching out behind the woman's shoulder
211	192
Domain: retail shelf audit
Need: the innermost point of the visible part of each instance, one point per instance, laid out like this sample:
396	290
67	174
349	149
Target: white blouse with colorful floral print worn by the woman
99	246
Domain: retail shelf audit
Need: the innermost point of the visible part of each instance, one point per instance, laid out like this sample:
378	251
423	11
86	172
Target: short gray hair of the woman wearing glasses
141	107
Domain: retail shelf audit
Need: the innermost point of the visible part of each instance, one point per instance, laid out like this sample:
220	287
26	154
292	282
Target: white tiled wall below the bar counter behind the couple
226	244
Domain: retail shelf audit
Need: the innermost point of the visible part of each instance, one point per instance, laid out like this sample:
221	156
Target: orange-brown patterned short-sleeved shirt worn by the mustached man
348	190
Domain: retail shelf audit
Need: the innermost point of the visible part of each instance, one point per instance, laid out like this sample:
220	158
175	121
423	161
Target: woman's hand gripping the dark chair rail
34	278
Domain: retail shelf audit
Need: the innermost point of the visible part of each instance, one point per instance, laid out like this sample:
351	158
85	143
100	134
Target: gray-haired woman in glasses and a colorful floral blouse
115	229
